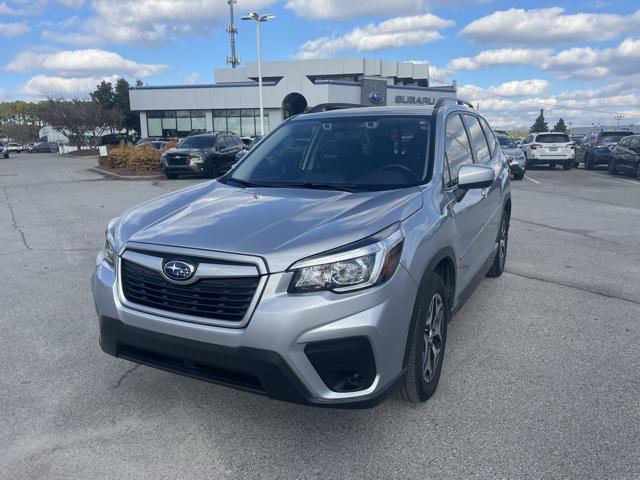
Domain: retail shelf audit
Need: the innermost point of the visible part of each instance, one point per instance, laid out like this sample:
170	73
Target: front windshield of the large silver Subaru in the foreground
351	153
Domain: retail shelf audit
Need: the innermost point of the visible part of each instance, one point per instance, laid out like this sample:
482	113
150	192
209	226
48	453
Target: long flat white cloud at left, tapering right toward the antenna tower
81	62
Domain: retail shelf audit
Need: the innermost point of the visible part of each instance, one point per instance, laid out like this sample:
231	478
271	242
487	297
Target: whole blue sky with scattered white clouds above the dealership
579	60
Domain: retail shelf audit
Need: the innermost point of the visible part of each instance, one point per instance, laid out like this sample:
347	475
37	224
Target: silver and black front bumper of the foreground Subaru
268	355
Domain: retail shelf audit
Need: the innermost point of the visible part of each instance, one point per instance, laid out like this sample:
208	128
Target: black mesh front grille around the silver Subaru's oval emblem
216	298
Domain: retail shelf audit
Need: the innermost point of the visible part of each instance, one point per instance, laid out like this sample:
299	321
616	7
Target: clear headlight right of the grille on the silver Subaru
354	267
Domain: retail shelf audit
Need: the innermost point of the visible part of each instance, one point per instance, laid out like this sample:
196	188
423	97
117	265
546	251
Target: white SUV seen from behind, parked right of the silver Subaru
549	148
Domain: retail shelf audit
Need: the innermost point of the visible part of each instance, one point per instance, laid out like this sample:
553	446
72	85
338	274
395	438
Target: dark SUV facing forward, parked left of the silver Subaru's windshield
211	154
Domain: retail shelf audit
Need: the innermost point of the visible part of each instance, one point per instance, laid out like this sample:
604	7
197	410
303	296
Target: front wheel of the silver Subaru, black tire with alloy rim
423	374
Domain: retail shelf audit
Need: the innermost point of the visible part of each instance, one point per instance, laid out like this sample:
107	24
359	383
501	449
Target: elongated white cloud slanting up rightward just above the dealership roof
395	32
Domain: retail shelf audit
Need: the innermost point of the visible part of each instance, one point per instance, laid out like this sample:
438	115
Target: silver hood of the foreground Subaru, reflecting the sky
282	225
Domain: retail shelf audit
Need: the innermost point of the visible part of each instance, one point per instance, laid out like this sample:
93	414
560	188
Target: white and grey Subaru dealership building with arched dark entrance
289	88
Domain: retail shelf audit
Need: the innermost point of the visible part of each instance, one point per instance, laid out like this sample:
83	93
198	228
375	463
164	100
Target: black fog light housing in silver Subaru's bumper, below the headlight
345	365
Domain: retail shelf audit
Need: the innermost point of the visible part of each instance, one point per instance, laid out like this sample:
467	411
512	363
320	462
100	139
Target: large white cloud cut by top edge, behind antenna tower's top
148	22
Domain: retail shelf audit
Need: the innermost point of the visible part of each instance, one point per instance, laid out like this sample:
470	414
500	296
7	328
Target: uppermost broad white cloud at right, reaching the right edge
548	26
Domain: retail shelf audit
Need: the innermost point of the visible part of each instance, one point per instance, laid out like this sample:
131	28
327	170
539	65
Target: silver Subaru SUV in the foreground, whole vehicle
324	267
